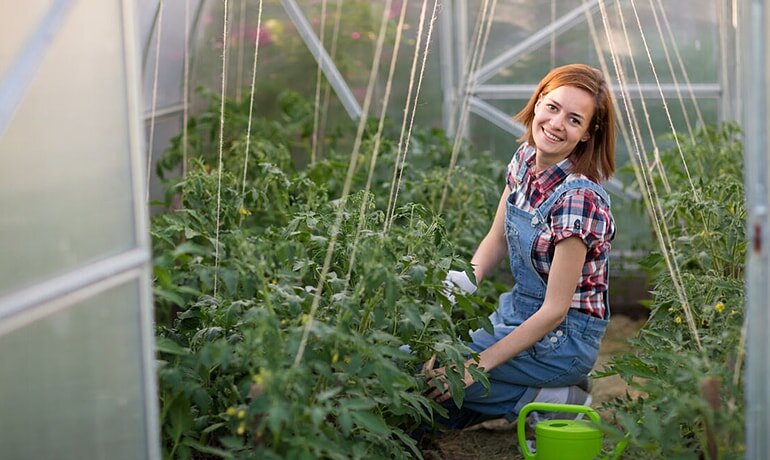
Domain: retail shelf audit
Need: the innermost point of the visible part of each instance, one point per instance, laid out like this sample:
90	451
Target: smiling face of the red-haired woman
562	119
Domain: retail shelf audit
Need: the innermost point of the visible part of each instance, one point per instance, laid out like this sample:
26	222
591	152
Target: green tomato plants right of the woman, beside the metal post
689	402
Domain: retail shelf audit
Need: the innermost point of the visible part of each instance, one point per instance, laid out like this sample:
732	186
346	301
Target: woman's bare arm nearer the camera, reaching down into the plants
568	260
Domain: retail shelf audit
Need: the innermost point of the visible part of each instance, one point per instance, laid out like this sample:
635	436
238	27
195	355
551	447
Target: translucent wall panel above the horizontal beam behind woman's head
694	25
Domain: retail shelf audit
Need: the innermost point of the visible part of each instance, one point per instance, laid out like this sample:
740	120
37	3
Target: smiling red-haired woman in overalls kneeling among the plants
554	223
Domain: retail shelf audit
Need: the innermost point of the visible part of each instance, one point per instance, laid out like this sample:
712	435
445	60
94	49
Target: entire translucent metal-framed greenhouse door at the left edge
75	334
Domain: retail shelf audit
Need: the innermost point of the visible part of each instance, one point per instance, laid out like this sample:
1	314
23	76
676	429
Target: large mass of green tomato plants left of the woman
231	383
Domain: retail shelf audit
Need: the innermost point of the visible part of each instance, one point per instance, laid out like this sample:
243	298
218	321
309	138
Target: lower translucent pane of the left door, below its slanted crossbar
72	383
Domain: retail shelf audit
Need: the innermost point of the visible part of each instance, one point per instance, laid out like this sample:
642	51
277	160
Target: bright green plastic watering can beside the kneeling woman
565	439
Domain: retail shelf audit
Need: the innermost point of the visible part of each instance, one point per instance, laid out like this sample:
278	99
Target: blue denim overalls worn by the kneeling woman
564	355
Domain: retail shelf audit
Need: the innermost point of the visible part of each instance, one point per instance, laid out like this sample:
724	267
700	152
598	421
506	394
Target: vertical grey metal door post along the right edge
753	77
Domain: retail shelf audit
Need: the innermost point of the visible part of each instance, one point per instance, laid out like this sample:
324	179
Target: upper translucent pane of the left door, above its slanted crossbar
65	184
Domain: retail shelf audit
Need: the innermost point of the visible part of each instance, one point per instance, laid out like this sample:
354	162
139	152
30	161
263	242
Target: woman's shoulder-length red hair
594	158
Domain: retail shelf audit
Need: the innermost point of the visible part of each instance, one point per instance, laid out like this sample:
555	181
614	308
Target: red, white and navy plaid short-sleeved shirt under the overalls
580	212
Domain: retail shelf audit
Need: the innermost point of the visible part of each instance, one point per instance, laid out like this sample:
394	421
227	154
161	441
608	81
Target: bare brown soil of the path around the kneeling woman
496	440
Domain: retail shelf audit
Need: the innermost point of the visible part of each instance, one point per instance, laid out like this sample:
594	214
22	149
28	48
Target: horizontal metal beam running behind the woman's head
648	90
